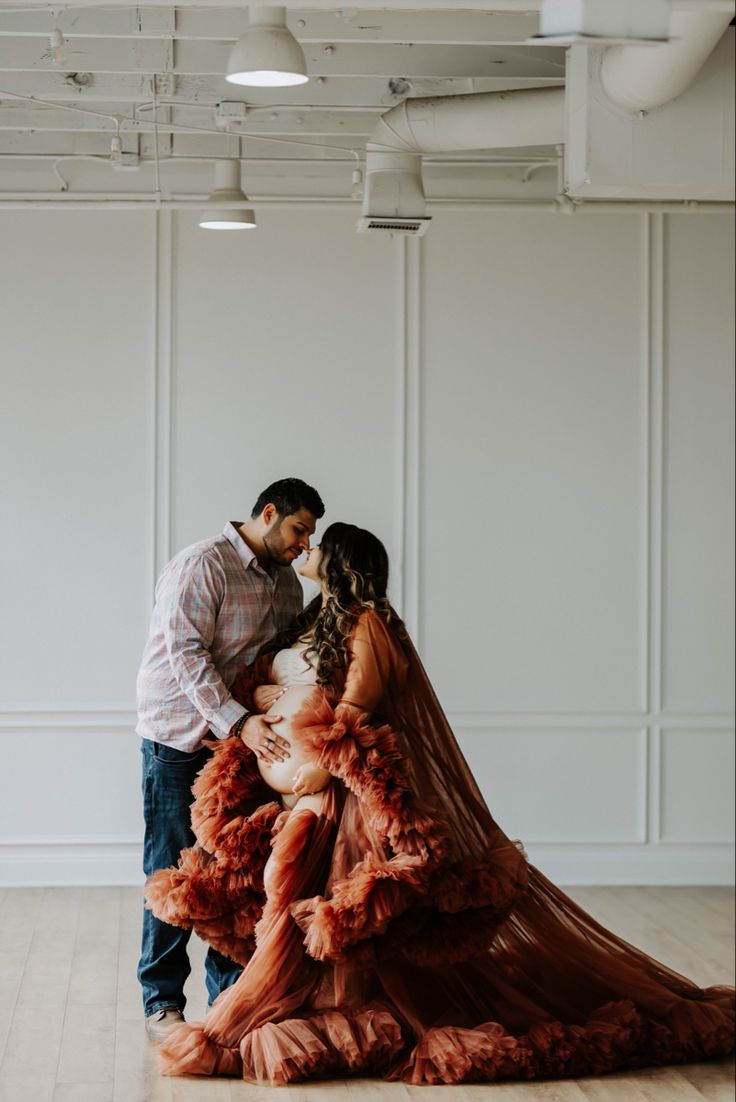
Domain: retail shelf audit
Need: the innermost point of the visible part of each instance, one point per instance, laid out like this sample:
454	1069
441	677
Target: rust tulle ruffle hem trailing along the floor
371	1042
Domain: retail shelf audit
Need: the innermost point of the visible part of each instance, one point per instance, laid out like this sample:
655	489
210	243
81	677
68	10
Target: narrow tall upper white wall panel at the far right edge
699	484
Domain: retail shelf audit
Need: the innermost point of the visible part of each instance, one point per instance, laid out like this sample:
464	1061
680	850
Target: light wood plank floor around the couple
72	1031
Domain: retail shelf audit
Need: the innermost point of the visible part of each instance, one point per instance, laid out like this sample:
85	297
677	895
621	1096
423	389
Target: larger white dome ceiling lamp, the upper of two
267	56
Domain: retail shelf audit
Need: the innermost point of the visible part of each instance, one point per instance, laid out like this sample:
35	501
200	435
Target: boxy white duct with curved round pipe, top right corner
655	123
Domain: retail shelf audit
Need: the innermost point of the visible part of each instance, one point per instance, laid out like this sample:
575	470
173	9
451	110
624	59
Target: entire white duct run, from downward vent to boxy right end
635	80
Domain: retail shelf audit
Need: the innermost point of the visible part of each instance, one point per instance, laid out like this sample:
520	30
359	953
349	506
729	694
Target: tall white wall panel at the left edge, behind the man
77	337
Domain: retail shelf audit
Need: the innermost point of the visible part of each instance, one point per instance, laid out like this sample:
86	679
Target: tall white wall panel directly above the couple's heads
286	365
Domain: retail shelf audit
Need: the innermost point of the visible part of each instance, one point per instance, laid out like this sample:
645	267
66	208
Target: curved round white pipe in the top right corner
642	79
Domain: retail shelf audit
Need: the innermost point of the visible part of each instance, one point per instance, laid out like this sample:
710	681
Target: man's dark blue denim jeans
165	965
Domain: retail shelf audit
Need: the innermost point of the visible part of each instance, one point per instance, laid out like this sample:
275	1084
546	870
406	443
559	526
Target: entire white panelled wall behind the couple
534	412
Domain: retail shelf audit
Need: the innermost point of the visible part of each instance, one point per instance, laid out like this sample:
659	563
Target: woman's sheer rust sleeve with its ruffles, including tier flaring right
425	898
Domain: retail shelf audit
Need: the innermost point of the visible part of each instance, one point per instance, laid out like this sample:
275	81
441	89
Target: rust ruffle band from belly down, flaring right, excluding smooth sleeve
418	901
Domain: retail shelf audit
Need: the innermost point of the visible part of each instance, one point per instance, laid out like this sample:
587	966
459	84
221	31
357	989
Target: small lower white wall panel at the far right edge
698	786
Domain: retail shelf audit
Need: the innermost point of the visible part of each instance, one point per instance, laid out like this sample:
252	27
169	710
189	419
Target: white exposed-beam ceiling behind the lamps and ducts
362	62
